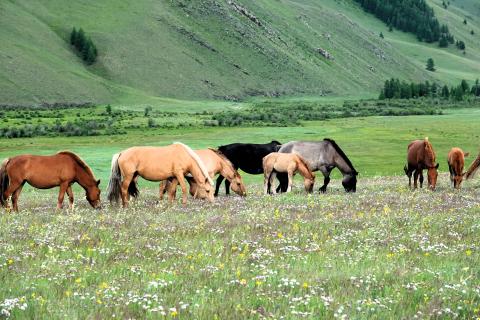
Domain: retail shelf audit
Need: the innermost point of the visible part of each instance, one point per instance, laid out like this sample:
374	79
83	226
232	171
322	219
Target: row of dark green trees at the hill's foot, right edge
396	89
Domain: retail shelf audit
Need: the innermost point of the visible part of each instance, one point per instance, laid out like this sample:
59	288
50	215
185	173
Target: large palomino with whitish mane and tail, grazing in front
155	164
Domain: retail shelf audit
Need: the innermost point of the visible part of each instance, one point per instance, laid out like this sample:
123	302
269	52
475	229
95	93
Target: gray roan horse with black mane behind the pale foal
324	156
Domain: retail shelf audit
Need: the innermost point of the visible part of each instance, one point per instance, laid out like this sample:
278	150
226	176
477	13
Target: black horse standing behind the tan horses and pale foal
246	156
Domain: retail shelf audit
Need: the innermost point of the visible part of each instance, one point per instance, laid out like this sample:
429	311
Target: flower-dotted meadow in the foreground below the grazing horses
383	253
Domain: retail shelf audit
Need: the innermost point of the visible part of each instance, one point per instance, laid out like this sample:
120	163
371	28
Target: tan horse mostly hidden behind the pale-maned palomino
215	162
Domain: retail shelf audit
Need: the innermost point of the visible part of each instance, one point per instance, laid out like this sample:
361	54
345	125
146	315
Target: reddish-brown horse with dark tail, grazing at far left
45	172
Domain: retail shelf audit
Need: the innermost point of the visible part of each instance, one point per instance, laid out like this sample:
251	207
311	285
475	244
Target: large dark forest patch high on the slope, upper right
414	16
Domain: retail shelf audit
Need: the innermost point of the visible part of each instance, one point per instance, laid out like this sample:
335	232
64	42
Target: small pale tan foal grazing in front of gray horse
290	163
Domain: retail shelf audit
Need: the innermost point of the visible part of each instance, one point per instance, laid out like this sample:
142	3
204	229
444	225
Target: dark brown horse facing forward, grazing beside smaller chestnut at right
420	156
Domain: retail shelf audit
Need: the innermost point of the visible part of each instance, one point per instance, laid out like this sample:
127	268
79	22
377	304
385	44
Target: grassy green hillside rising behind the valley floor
218	49
